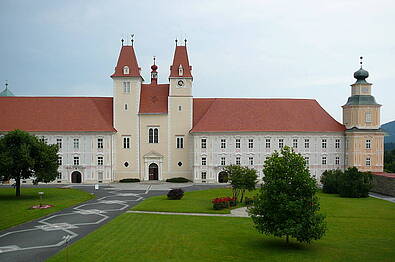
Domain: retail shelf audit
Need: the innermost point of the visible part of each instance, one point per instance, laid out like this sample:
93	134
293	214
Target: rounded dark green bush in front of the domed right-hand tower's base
353	183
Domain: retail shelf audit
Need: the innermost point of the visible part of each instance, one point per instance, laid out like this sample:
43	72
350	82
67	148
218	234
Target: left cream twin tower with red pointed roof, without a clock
126	91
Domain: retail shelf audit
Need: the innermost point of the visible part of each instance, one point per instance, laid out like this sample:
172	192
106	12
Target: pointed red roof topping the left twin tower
127	57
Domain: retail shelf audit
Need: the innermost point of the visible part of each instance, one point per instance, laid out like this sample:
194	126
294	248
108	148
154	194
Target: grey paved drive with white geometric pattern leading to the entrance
40	239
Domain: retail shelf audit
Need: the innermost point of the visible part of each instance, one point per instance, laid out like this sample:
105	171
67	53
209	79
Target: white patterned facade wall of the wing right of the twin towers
259	152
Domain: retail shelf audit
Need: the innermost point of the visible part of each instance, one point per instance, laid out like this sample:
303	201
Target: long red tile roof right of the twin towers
255	115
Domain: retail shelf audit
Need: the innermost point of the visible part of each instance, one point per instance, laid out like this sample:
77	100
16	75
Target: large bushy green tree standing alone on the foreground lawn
287	204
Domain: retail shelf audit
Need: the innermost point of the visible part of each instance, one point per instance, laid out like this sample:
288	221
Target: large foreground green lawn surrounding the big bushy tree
358	230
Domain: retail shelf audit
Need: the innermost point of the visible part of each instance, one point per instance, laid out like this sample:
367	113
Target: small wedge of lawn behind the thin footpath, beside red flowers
192	202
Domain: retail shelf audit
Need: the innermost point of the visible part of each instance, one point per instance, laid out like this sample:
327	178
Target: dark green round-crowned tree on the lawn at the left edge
23	156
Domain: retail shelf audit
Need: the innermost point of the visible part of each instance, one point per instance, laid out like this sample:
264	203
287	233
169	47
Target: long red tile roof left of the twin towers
69	114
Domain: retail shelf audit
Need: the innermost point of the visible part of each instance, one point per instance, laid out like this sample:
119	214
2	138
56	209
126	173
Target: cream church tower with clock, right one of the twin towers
180	111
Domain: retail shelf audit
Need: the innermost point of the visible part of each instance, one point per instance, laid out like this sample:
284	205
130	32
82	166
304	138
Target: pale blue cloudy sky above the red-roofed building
246	48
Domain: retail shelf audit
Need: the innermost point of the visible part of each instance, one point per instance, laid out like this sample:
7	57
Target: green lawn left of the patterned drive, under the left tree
16	210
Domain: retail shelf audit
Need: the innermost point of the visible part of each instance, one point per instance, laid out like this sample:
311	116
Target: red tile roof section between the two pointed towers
153	98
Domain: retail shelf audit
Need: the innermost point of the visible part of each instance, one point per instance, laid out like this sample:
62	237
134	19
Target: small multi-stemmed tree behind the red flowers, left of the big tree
241	179
